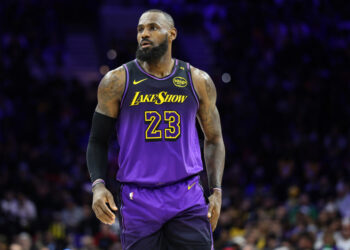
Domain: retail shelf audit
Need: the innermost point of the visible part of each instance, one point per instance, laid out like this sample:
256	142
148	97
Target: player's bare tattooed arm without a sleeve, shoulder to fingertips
214	149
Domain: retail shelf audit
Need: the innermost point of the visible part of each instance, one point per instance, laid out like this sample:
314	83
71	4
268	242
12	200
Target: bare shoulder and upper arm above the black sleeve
110	92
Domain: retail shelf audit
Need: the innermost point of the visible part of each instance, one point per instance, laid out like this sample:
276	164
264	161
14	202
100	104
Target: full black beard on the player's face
153	54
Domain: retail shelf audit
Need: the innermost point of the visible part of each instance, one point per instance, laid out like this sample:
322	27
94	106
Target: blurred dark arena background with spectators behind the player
281	68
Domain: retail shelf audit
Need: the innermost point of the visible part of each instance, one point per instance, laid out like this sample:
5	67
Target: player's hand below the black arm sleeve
101	196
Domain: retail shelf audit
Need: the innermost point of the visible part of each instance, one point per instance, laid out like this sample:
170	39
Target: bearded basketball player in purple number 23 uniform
153	102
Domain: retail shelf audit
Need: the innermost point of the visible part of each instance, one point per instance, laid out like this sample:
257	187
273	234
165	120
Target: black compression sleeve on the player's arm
97	149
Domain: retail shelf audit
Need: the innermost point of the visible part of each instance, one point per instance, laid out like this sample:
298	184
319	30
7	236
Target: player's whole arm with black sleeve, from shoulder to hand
109	95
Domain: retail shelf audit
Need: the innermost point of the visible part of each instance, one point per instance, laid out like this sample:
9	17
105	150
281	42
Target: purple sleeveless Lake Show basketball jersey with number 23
156	127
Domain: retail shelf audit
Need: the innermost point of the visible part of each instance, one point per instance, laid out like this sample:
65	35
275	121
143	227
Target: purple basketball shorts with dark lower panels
166	217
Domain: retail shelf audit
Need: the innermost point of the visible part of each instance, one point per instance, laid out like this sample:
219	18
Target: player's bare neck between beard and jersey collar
161	68
